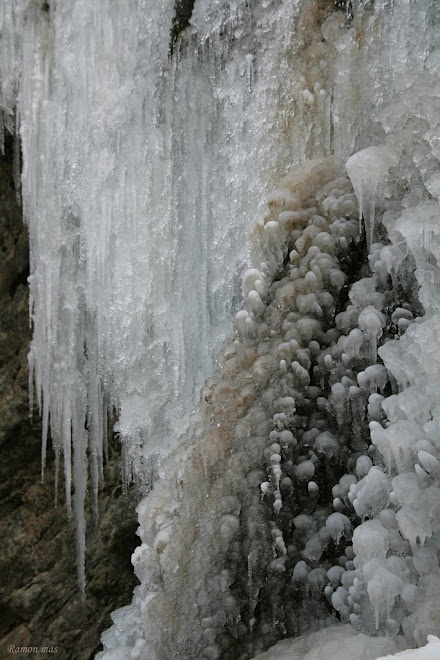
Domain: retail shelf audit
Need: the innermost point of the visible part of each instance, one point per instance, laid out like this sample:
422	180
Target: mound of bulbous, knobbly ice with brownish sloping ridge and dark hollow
278	512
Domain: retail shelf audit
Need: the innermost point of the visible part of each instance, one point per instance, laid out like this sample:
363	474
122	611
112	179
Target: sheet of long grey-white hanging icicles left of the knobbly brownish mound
141	176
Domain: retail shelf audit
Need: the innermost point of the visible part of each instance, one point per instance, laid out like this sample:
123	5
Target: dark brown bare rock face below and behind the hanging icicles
39	598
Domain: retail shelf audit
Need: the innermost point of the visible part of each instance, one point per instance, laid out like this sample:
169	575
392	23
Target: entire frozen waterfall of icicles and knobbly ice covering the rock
303	488
